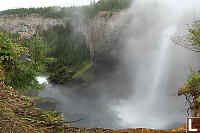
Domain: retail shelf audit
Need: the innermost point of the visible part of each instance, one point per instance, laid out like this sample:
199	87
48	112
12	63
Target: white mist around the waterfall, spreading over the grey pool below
142	91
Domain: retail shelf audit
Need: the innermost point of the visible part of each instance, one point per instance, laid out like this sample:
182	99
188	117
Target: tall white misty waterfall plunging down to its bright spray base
158	67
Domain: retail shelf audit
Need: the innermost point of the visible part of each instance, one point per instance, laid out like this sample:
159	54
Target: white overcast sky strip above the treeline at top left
10	4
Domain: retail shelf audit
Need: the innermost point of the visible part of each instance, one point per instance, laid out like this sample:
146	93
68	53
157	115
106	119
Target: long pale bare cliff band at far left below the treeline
28	25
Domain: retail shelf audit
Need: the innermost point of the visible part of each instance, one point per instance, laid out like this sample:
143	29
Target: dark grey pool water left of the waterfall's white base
83	104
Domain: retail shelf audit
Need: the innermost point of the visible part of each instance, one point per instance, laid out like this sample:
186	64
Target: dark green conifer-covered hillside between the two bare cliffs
69	49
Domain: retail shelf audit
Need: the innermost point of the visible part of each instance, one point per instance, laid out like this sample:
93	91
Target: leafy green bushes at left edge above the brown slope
19	71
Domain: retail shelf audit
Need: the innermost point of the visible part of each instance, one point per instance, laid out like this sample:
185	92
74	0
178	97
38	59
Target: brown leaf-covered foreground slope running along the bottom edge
19	114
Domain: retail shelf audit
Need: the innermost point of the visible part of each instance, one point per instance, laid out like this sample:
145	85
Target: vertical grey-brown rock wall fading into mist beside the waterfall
101	35
